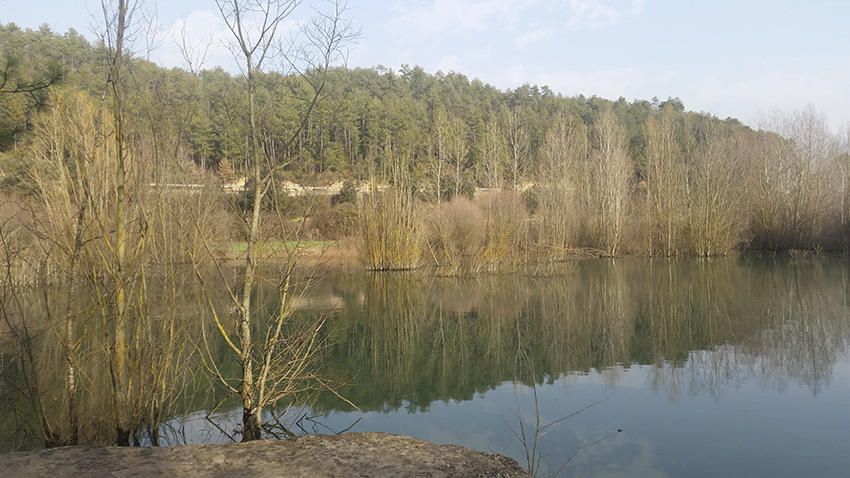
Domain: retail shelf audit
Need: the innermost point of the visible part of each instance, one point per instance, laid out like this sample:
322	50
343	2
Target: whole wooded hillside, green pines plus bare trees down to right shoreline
645	173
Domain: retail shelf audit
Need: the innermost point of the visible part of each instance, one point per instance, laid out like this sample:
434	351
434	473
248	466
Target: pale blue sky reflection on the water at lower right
748	430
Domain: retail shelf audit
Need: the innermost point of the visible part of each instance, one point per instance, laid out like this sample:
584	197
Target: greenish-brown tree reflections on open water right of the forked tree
705	326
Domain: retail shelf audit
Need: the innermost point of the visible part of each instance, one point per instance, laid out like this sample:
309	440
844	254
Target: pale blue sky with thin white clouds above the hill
742	58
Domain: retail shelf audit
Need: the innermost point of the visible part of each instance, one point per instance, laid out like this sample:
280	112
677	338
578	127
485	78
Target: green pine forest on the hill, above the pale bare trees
366	110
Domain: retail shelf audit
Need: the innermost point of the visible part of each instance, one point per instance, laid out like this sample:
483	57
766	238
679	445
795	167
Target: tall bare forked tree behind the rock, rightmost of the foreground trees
254	25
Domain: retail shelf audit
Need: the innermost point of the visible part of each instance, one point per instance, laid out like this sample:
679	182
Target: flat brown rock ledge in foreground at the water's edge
350	454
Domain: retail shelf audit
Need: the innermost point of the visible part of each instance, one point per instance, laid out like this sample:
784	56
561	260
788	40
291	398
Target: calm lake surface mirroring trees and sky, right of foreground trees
735	367
